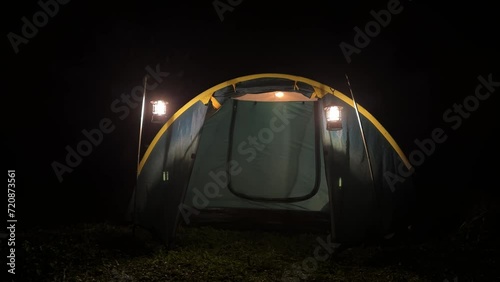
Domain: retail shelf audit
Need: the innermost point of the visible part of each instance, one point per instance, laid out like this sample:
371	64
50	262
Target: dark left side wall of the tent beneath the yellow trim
166	174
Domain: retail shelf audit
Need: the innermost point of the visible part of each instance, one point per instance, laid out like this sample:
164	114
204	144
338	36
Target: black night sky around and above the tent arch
66	78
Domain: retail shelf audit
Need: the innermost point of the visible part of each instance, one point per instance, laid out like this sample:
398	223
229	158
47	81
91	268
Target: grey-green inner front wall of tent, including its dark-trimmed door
263	171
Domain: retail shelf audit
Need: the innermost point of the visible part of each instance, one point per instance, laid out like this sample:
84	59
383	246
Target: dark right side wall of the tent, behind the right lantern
362	206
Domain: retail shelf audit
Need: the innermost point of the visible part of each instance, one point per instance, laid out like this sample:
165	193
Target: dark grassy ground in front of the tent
109	252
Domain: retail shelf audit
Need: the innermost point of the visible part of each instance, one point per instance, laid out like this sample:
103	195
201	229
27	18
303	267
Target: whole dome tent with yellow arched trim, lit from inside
258	149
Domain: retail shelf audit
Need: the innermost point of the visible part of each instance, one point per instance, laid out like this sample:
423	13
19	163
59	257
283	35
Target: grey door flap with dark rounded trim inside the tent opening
276	147
